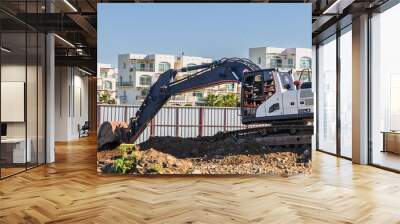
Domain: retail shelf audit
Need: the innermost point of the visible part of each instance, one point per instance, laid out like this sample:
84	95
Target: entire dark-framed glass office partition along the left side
22	78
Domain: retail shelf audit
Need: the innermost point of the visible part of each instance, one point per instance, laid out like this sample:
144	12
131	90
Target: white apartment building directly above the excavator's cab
297	59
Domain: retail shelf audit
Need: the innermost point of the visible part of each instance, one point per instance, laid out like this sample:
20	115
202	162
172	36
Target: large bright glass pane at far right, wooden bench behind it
385	89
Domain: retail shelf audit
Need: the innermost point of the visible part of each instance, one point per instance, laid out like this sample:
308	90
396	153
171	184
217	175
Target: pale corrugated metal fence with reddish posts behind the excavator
178	121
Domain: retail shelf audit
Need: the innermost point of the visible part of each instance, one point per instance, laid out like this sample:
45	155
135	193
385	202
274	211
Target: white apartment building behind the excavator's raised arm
137	72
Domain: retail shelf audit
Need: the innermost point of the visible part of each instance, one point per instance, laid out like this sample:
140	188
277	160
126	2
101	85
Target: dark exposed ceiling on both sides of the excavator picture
75	22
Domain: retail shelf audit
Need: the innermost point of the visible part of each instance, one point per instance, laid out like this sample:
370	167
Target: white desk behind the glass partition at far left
13	150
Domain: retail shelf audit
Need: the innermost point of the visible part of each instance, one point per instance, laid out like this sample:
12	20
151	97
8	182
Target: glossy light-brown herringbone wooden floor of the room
70	191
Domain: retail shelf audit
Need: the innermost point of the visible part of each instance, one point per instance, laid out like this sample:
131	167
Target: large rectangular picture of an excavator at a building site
214	114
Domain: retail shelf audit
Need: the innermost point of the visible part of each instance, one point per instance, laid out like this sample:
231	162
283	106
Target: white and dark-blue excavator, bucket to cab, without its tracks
267	96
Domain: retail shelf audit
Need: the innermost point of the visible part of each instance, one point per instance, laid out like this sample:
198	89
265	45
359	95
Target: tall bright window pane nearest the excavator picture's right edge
327	95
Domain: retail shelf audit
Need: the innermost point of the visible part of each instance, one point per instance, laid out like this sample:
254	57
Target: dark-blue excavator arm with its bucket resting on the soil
222	71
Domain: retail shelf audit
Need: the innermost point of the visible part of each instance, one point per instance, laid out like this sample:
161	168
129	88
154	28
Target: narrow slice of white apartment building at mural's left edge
106	81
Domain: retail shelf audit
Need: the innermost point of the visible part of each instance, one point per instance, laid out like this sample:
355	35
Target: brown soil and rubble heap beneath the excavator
171	155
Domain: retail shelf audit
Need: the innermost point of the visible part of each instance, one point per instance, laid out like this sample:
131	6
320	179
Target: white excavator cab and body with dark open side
272	95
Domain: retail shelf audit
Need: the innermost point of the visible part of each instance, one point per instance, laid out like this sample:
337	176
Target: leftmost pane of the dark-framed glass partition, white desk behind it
13	92
